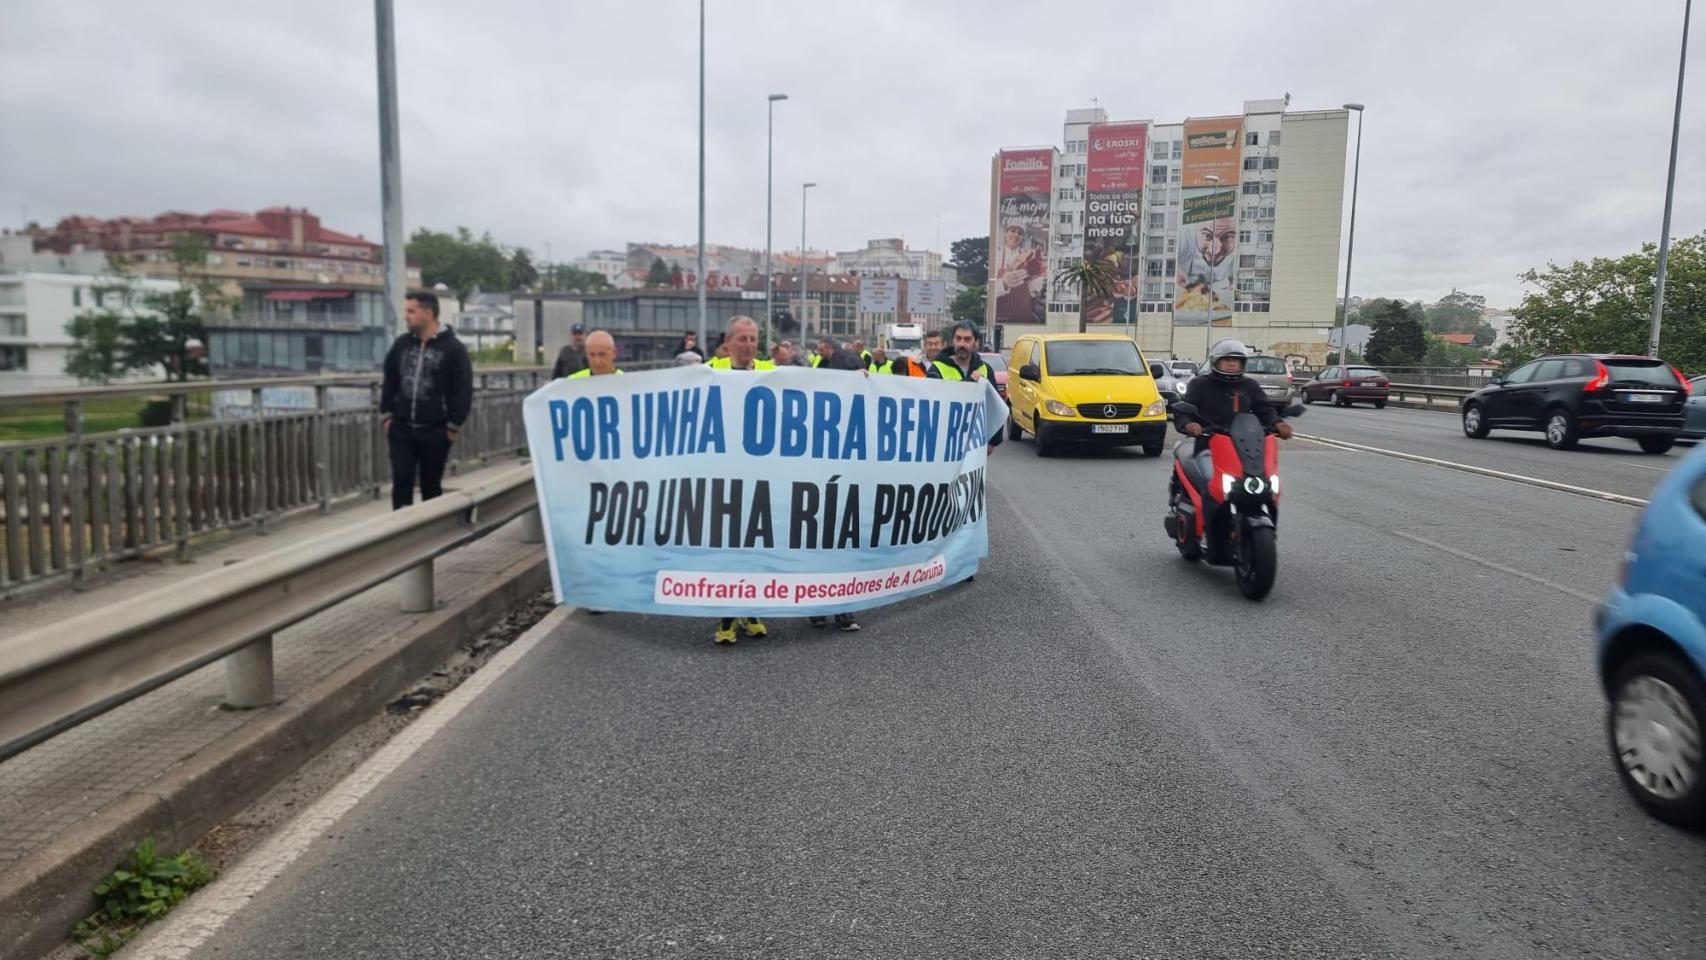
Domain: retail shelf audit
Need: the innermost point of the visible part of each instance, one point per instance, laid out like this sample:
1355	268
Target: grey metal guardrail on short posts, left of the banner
59	676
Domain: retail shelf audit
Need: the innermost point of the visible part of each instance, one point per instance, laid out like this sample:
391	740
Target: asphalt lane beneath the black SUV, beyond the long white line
1615	466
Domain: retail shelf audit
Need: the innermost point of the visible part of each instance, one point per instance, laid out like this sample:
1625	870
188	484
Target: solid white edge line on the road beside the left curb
190	927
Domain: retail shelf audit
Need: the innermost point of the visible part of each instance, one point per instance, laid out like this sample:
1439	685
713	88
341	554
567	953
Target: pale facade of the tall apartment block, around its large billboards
1289	221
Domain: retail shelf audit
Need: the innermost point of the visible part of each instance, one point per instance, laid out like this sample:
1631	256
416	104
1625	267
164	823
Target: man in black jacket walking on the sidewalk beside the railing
426	402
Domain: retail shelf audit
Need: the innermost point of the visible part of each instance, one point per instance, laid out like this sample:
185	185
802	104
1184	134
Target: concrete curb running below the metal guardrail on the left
49	891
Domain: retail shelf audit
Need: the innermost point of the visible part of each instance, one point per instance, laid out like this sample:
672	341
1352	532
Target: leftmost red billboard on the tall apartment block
1019	236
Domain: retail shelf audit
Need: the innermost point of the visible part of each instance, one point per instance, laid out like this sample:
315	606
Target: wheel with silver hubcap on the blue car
1654	727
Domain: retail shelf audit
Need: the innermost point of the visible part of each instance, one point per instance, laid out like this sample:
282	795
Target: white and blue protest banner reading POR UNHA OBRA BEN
791	492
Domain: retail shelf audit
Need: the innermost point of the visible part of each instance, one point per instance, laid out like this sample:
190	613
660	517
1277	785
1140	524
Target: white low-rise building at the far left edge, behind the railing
40	294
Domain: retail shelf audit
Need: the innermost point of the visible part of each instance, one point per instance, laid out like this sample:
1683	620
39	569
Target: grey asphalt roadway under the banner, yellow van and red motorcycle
1091	751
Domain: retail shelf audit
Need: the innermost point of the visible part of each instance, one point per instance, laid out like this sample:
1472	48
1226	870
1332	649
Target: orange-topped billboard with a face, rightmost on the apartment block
1209	224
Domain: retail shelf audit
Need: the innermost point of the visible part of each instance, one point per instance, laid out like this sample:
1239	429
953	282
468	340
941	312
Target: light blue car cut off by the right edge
1652	652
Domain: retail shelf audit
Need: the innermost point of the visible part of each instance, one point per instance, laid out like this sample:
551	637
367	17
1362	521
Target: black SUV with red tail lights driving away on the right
1577	396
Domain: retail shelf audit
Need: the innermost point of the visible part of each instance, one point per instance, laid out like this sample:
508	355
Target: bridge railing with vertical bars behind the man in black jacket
272	446
